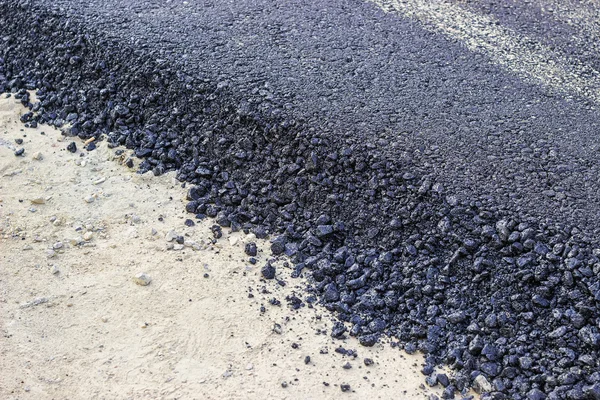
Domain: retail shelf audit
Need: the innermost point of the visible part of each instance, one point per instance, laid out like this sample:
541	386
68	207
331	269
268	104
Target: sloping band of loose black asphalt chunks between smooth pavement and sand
512	301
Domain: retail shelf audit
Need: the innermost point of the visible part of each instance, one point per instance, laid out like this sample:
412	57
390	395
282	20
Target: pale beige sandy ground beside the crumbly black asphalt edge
76	228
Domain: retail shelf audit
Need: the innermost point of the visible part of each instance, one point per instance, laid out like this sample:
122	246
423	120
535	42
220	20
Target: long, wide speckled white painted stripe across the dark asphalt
506	47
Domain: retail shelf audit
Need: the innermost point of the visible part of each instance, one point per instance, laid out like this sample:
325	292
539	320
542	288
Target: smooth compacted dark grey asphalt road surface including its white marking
494	99
